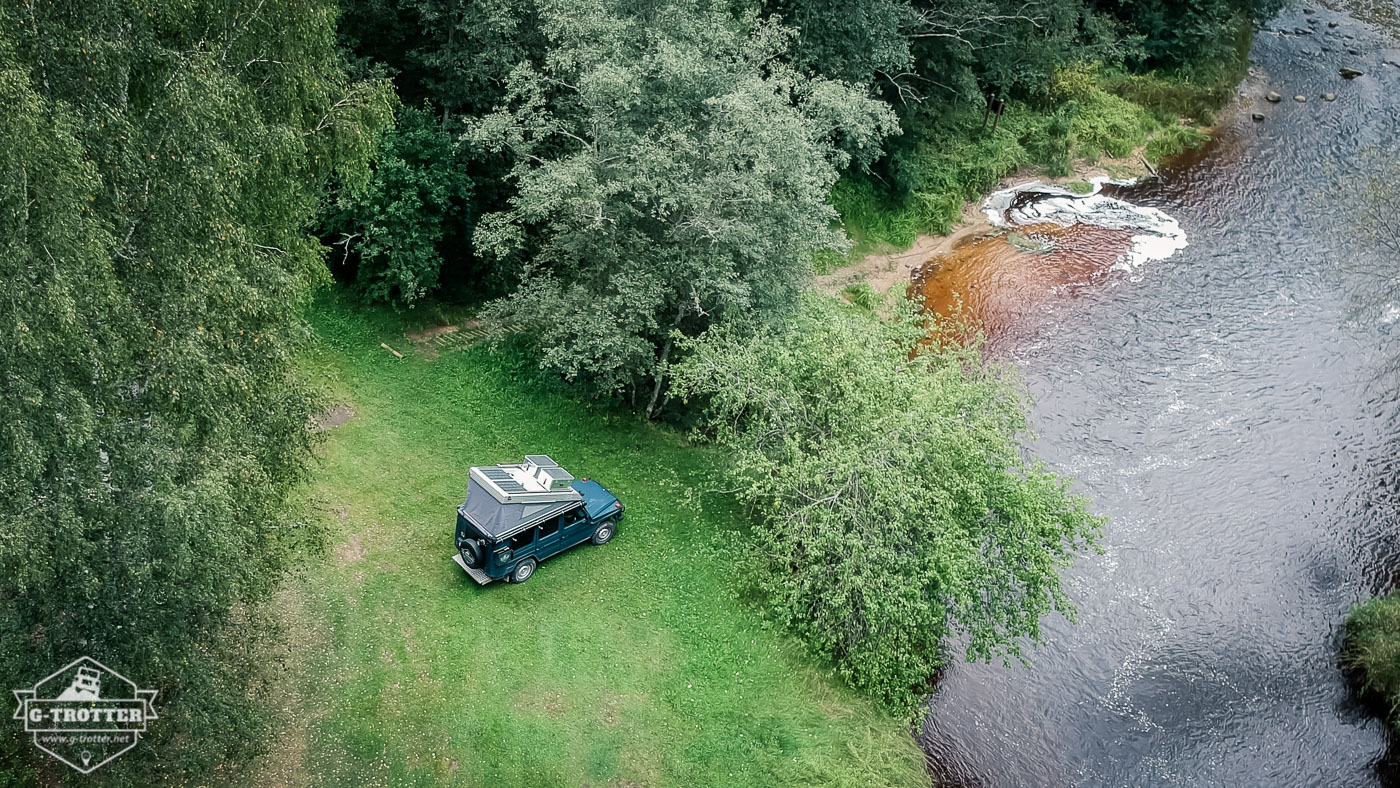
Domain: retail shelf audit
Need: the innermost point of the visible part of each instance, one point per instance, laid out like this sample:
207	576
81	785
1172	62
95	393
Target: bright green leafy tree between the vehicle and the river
894	502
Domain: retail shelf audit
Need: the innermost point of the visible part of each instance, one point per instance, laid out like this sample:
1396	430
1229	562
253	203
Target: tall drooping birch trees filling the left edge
159	170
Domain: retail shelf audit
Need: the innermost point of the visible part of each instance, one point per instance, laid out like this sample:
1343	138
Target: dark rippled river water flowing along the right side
1221	409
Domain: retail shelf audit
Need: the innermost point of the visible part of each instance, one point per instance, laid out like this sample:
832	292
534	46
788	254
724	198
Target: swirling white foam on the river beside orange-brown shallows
1157	234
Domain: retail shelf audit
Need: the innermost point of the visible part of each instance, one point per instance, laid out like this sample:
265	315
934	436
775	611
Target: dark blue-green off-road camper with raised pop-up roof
517	516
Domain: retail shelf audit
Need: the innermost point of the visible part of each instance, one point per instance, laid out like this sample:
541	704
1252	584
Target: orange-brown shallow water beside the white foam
1006	282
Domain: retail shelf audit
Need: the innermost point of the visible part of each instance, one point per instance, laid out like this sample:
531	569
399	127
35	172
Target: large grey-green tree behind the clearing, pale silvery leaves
671	173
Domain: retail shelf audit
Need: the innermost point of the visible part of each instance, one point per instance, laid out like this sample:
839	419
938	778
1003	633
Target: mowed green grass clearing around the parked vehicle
632	664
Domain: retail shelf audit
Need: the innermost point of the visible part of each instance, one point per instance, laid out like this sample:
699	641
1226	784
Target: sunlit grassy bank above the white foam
1091	120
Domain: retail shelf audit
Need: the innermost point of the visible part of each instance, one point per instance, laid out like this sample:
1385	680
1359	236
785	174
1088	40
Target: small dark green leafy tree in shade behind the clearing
393	230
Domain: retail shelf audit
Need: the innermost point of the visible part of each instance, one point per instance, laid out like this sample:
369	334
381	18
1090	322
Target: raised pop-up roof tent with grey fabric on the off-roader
505	500
